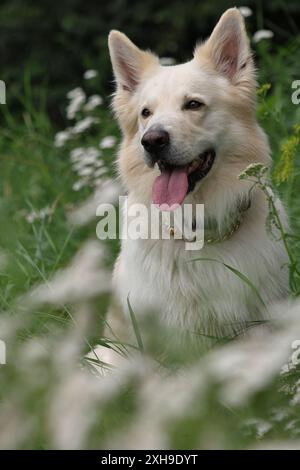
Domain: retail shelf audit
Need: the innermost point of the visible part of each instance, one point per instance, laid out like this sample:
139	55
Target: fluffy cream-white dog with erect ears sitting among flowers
189	130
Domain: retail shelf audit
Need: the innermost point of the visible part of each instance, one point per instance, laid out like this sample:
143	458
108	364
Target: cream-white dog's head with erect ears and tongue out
188	119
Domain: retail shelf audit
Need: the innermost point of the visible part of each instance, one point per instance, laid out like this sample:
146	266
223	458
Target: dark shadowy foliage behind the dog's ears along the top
57	41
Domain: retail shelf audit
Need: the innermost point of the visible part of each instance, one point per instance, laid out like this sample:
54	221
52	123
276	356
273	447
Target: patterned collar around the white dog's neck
214	234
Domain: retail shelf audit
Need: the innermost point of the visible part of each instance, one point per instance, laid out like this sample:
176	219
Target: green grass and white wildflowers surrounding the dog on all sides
53	305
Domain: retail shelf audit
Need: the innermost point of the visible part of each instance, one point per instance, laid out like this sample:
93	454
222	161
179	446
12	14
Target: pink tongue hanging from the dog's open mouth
170	187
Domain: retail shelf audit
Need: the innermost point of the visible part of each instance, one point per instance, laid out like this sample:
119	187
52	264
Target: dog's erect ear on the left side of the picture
128	61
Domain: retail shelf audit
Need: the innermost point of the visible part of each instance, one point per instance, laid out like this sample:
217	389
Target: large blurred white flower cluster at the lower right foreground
246	367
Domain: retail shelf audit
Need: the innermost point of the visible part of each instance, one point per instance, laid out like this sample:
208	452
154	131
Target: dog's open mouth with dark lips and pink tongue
175	182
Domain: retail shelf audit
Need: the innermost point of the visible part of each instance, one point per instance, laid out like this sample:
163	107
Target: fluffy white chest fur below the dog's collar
204	296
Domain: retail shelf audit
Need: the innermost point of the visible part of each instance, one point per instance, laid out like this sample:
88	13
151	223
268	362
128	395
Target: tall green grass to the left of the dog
36	175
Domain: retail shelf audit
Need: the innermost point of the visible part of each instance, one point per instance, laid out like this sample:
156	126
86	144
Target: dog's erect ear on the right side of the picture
228	44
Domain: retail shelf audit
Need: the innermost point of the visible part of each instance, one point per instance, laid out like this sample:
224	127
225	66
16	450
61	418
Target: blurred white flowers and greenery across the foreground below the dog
58	400
